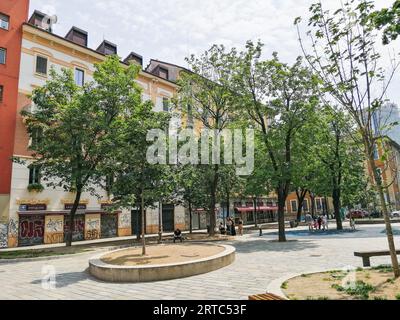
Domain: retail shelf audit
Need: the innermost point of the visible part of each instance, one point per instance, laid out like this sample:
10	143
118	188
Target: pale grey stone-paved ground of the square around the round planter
259	261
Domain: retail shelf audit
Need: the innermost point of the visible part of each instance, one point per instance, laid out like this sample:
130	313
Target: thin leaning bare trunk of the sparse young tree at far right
389	230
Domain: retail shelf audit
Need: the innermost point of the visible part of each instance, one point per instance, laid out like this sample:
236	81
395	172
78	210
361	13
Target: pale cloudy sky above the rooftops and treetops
170	30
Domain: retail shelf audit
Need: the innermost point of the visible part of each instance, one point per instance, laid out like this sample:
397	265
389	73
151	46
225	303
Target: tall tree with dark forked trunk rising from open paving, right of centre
278	99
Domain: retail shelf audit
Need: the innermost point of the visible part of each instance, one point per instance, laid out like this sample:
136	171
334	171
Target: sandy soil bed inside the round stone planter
162	254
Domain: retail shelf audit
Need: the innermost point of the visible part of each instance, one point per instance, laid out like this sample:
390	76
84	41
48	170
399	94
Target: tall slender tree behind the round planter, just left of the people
207	91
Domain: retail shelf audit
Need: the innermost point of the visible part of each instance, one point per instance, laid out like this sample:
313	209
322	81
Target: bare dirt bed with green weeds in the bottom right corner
368	284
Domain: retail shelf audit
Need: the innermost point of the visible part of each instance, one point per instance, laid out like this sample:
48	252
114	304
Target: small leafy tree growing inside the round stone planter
138	181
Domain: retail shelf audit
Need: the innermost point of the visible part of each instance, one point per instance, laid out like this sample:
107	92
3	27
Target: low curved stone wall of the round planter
159	272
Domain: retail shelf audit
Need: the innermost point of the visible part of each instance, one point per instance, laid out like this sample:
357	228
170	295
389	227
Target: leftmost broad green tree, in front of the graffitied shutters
80	125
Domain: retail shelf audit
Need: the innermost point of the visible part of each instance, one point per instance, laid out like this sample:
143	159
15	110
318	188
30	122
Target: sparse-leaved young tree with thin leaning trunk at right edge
344	56
